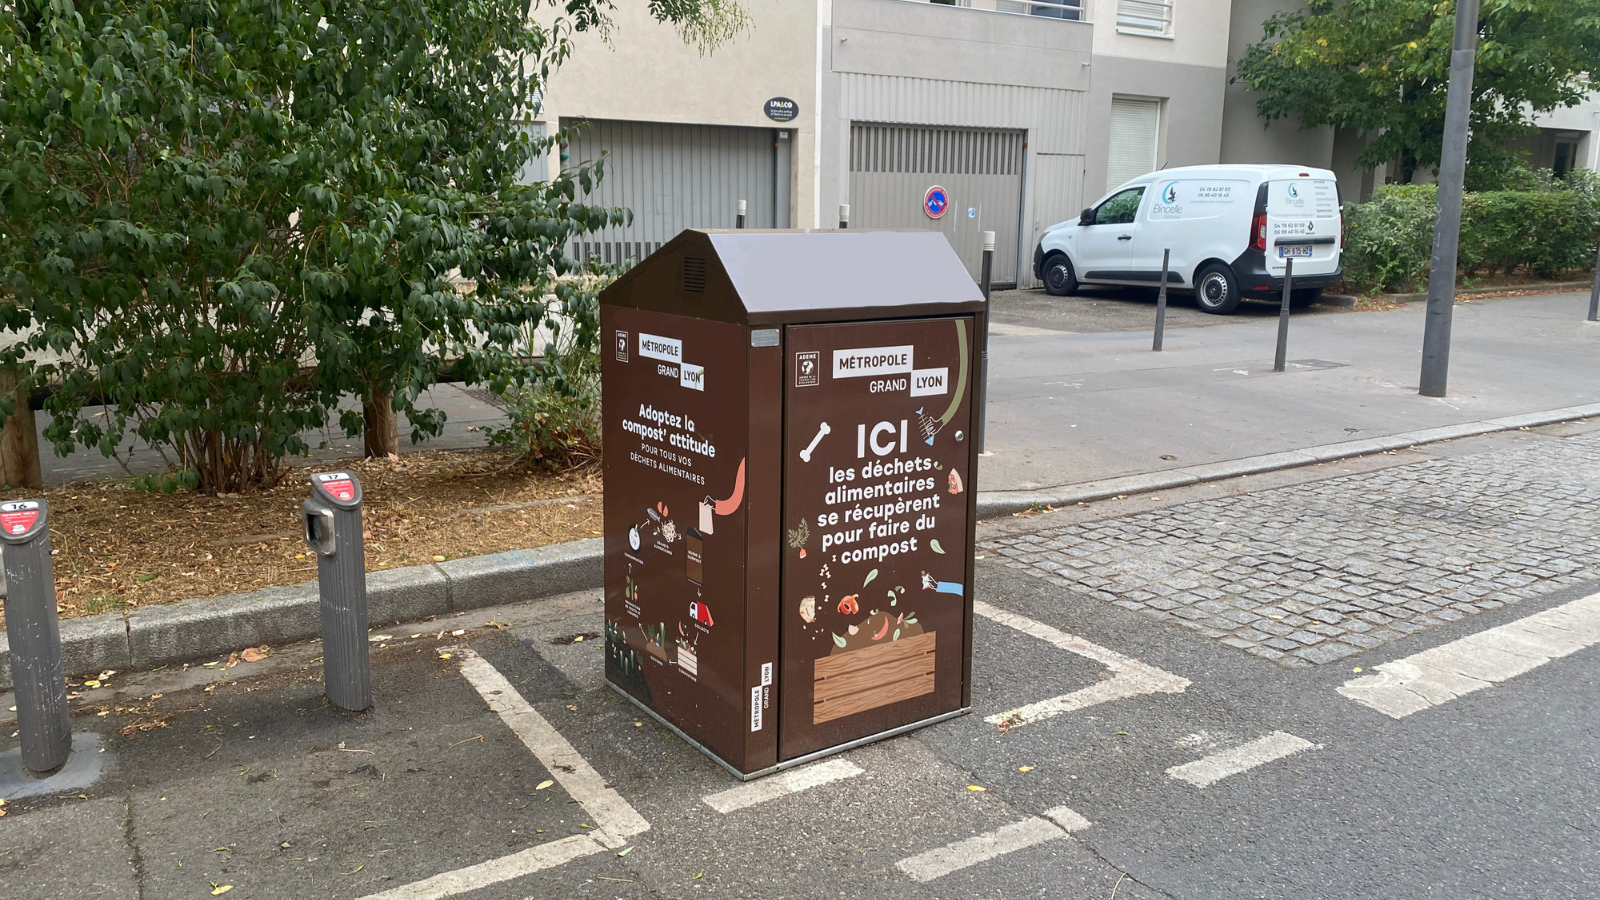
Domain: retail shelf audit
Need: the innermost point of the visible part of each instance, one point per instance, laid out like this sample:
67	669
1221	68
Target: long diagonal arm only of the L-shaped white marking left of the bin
615	819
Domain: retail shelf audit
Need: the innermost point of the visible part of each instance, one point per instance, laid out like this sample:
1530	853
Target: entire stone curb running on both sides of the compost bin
210	627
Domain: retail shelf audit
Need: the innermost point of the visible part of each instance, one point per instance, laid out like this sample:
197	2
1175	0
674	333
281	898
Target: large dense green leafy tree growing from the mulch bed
223	217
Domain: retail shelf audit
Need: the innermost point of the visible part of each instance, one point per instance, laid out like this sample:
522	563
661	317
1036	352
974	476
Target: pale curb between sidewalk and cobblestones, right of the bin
996	504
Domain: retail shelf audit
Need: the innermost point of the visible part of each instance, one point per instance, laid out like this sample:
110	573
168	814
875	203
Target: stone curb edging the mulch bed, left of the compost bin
210	627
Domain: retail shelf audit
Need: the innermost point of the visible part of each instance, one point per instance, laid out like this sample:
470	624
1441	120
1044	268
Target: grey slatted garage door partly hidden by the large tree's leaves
679	177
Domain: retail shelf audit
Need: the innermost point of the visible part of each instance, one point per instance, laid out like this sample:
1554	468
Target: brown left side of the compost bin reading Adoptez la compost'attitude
676	425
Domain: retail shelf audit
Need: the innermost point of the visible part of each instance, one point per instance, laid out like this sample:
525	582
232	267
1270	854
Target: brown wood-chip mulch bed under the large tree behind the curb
118	548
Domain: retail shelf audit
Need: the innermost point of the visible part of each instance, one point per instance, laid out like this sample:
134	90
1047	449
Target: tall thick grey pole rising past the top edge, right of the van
1447	227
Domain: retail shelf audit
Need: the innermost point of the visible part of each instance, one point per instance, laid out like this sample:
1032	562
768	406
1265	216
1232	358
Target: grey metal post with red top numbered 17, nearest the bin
334	529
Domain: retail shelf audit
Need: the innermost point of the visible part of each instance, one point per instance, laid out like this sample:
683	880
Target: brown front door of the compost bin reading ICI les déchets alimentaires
878	454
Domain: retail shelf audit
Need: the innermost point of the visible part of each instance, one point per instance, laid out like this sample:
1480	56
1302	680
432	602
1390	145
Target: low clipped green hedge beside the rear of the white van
1390	241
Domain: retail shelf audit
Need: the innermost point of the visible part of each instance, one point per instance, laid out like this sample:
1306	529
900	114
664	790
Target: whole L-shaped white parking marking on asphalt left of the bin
614	819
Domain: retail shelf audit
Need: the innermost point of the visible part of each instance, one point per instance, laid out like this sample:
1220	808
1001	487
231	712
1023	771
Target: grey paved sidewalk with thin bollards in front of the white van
1068	409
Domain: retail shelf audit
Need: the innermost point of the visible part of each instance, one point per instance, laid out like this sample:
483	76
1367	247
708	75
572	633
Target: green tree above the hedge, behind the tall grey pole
1383	68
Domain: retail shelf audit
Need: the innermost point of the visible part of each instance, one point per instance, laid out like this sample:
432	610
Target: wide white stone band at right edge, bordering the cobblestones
1478	661
